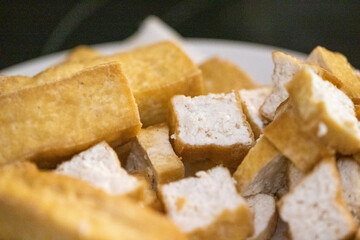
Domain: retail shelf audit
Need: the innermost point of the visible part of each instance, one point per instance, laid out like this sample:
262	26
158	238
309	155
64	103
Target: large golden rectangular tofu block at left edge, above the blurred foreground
59	119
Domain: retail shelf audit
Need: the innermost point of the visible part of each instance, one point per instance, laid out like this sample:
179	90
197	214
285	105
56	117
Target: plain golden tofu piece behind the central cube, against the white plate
222	76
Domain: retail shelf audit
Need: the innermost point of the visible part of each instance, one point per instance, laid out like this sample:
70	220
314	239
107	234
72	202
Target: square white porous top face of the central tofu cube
211	119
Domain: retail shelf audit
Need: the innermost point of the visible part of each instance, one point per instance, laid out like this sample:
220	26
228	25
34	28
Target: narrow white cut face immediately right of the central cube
253	99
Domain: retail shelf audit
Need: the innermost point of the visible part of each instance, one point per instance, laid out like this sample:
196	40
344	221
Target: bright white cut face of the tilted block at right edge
337	104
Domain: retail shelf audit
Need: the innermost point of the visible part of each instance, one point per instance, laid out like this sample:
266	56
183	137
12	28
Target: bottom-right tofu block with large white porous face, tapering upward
315	208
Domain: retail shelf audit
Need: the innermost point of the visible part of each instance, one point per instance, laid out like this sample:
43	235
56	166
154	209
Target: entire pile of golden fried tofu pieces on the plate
144	144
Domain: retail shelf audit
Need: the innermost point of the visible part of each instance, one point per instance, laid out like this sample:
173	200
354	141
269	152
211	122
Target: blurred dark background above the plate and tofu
29	29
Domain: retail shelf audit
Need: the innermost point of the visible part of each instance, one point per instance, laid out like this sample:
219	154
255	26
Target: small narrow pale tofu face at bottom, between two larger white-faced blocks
263	207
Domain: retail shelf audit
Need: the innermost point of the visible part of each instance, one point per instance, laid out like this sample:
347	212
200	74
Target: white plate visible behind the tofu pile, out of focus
255	59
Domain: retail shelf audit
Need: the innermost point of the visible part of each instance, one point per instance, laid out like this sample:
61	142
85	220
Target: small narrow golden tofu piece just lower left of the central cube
152	152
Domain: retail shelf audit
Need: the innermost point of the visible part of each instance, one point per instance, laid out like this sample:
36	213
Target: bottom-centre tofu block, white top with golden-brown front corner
208	207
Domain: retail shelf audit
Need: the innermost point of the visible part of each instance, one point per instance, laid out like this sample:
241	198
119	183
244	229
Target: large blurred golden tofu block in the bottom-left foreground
44	205
